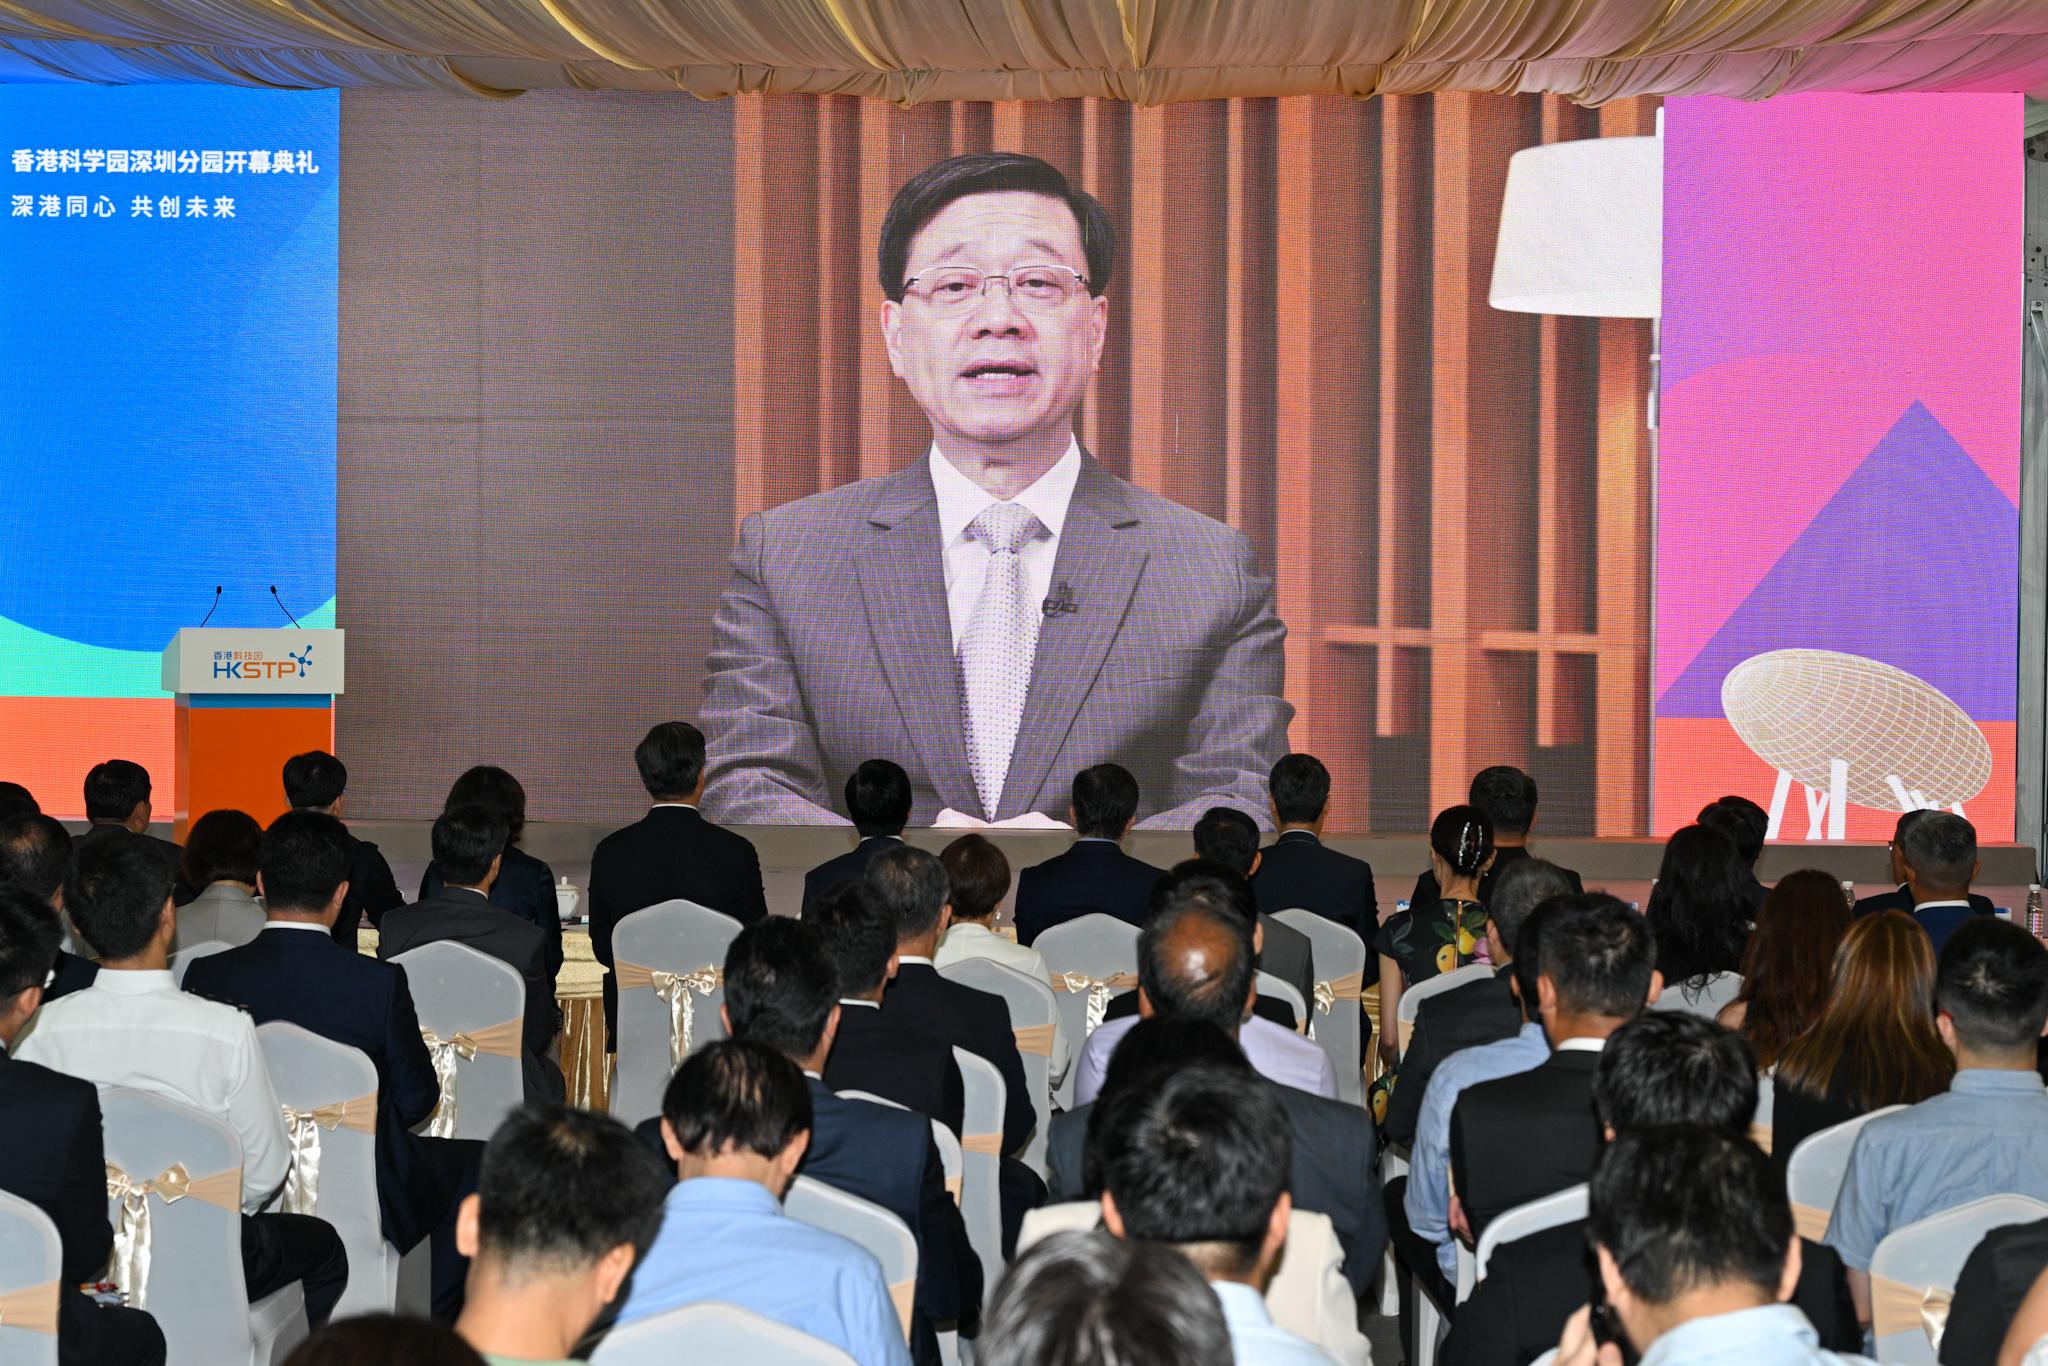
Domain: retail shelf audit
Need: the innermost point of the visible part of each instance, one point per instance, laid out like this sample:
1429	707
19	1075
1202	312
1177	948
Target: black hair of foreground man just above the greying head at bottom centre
1197	1160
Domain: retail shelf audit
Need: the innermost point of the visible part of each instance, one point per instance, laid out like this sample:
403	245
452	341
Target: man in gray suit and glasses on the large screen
1005	611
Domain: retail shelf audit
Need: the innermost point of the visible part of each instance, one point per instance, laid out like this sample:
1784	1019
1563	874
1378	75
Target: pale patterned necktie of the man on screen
996	650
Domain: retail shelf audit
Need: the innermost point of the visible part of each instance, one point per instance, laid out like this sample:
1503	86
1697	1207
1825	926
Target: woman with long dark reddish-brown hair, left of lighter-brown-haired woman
1787	964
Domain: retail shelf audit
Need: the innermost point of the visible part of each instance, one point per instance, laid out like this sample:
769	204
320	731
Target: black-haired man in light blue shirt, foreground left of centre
736	1119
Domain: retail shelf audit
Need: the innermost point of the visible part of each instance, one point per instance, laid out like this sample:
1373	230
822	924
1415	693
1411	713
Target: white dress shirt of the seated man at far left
140	1031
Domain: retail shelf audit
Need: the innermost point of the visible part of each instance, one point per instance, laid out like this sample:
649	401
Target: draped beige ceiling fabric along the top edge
1146	52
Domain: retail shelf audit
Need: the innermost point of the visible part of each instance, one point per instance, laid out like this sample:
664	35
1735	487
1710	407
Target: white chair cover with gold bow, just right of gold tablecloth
683	947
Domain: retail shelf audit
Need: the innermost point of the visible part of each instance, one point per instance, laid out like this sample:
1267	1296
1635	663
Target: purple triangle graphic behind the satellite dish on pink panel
1914	562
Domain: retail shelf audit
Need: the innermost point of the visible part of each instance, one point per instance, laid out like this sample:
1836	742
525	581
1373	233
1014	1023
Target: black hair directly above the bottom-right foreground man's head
1672	1068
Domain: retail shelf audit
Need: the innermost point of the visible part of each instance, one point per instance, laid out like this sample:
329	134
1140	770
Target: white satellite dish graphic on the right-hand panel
1854	730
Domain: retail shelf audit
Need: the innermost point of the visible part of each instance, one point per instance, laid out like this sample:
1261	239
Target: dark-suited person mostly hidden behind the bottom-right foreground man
1664	1070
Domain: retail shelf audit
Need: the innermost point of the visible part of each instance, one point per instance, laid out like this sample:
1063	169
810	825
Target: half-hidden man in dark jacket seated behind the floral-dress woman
1480	1013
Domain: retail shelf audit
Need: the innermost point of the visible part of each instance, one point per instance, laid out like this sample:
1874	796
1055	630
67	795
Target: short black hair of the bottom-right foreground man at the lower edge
1684	1209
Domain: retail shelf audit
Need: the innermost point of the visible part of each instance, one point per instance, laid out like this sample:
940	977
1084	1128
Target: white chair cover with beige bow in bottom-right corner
1916	1269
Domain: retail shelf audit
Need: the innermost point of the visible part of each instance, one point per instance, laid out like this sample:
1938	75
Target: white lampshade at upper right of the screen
1582	230
